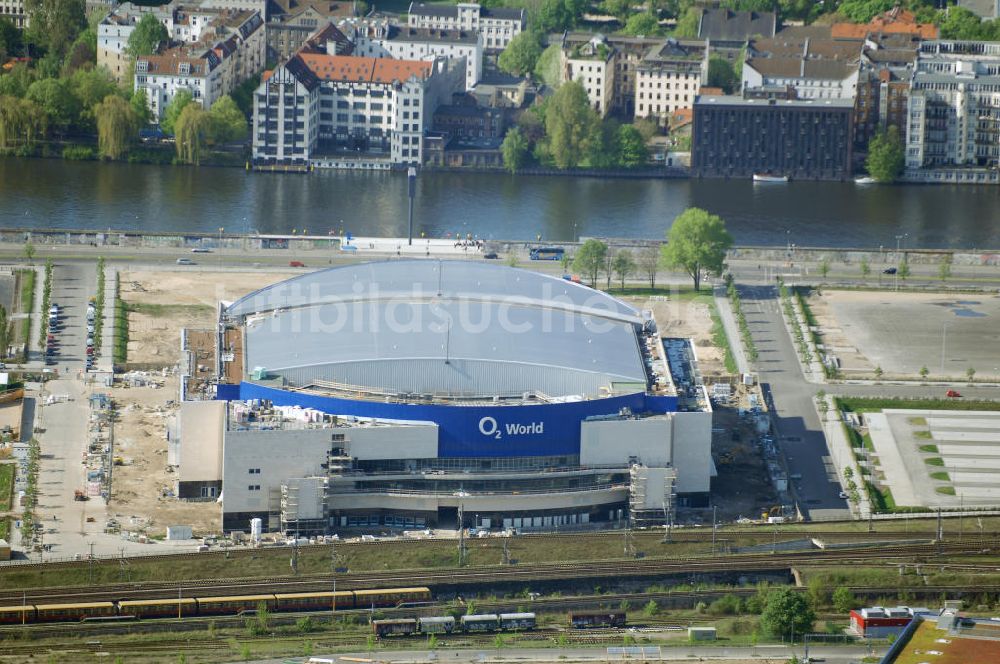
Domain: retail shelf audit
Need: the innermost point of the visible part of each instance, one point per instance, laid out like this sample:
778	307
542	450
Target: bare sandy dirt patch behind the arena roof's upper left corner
172	300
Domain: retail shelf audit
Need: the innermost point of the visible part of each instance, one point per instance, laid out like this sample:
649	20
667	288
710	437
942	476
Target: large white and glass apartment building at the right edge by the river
954	109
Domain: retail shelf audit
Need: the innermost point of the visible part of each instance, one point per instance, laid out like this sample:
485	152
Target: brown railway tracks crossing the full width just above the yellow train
444	579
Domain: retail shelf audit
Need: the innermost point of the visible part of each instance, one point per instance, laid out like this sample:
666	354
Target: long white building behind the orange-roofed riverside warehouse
377	39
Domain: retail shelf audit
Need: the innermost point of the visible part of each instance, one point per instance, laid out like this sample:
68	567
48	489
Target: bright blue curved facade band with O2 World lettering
475	431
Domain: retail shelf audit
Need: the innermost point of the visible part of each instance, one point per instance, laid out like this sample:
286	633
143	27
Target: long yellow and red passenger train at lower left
211	606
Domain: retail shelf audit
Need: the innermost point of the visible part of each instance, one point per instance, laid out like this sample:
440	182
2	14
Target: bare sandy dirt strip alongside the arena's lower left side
141	442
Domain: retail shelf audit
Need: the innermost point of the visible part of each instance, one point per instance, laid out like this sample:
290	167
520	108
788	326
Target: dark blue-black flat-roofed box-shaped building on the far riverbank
771	132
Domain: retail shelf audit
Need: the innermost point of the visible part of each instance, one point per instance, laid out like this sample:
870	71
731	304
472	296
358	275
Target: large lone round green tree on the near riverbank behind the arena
697	242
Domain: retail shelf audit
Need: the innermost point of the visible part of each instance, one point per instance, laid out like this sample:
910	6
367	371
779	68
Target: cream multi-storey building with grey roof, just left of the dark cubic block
668	78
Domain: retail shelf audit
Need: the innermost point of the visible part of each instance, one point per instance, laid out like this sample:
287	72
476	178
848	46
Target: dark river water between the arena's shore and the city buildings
64	194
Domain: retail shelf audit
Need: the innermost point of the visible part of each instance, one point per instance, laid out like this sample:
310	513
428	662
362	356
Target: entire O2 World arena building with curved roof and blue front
421	393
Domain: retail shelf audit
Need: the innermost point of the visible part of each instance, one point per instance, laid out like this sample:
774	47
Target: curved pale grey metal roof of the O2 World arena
442	327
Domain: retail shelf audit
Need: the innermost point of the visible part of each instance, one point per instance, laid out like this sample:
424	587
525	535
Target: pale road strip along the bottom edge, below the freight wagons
775	654
